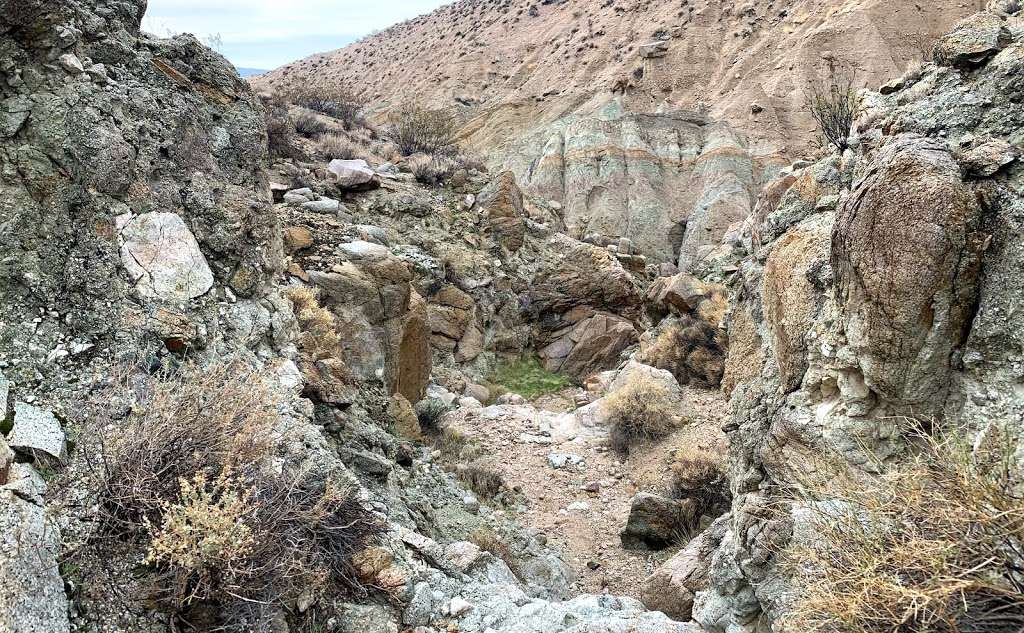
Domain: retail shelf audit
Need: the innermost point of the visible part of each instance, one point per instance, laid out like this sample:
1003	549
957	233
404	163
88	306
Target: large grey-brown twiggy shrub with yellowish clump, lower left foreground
188	474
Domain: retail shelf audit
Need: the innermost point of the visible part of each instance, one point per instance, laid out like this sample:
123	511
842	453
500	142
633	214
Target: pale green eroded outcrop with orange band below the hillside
671	184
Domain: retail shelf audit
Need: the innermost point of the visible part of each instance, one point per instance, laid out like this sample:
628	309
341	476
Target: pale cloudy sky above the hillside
267	34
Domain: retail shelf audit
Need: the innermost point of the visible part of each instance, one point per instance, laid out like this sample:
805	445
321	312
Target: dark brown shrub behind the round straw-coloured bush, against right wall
693	350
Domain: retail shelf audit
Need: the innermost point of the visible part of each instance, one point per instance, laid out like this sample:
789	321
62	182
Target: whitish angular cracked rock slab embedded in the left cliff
163	259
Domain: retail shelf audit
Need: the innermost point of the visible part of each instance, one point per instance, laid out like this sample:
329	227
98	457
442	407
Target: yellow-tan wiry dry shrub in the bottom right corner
935	545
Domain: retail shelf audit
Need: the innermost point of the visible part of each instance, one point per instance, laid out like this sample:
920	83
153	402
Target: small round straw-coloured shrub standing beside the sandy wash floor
643	410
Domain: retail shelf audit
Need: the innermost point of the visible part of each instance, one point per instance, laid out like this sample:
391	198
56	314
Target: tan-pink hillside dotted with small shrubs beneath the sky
519	63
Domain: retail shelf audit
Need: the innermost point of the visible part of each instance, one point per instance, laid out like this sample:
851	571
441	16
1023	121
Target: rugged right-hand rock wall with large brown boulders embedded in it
877	286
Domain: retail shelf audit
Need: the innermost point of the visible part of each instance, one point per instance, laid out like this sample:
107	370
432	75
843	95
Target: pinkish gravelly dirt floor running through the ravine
582	520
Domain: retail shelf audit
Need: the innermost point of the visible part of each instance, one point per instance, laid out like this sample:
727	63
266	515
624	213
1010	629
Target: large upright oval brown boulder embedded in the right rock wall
907	256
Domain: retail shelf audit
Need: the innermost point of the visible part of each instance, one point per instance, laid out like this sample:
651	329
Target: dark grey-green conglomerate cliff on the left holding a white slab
135	194
